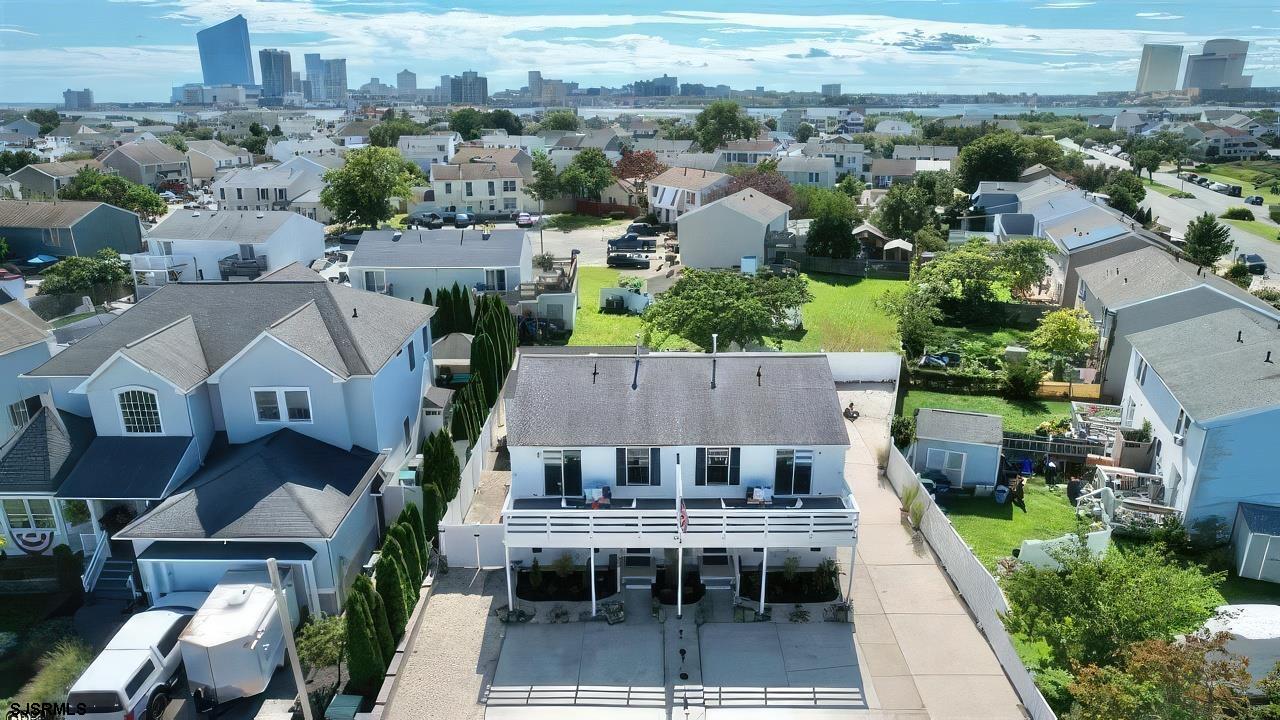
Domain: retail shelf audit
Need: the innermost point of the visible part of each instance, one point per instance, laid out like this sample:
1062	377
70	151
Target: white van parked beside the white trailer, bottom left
132	678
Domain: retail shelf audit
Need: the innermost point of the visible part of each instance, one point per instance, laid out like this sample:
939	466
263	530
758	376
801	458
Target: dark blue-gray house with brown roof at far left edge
67	227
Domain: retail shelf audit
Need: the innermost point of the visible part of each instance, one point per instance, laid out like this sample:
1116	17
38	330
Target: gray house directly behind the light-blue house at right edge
1149	289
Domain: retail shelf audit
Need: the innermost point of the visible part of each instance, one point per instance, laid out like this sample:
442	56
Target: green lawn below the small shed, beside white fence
994	531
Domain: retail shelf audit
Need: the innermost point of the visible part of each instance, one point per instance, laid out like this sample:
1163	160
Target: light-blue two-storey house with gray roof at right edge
1210	389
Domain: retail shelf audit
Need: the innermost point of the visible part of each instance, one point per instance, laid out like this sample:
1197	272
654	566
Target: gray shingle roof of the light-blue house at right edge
1209	371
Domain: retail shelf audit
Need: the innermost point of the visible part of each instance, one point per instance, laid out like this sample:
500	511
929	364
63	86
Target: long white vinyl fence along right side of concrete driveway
979	589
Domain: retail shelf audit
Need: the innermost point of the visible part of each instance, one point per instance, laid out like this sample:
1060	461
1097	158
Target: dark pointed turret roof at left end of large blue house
44	453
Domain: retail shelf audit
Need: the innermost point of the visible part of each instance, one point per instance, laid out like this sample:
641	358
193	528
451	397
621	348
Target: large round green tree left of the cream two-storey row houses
359	193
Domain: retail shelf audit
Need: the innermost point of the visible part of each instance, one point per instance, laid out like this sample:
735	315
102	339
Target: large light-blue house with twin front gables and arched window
232	423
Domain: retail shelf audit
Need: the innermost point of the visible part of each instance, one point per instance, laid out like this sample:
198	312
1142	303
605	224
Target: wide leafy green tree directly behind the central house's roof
742	309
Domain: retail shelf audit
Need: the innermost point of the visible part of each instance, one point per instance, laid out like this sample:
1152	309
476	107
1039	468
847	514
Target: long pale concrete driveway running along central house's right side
920	648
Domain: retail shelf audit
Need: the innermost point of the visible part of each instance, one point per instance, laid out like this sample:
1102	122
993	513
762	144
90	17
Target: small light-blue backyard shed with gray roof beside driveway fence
963	446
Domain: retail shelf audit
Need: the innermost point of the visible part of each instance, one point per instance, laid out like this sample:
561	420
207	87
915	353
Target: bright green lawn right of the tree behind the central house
843	317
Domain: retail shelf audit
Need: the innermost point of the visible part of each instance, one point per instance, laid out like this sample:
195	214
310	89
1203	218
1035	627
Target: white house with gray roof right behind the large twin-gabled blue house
225	245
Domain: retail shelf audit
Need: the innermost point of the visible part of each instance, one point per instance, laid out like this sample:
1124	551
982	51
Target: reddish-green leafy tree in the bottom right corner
1158	680
